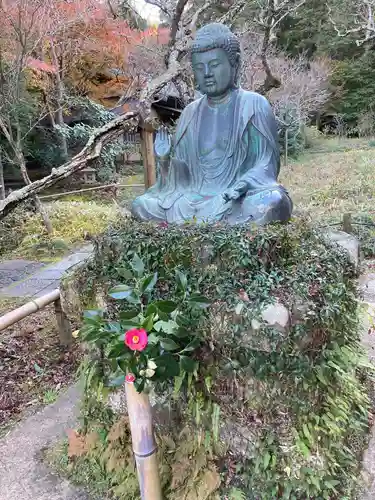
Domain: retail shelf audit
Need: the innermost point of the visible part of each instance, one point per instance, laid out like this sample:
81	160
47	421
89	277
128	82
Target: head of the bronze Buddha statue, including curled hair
216	57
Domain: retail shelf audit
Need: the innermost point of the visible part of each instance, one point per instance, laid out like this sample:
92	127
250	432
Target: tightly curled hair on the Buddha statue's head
219	36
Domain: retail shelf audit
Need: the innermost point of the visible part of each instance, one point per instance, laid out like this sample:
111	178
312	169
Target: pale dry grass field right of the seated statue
329	184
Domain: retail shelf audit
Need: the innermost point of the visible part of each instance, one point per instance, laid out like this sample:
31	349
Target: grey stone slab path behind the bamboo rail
22	278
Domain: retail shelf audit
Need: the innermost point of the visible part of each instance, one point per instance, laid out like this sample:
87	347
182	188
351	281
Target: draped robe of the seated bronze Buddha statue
195	183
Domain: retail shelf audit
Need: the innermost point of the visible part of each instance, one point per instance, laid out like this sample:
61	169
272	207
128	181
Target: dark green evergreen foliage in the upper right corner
311	33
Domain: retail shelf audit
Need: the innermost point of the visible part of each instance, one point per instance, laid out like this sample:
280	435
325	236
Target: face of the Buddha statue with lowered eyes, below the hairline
213	72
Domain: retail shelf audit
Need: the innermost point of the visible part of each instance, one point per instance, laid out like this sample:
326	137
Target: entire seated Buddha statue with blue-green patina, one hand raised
226	161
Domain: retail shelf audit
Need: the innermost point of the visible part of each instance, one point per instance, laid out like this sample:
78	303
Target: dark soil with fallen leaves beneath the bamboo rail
33	366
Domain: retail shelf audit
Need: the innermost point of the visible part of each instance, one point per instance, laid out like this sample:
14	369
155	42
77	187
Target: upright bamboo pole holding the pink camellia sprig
144	445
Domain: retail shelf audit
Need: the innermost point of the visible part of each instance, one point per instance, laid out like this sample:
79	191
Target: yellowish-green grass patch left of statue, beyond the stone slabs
75	218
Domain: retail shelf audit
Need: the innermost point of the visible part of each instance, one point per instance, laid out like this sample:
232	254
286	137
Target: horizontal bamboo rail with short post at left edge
12	317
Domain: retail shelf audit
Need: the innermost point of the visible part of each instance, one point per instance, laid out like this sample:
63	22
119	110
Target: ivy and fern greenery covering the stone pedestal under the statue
300	392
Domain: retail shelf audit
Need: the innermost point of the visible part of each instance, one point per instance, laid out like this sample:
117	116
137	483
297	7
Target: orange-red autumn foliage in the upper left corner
79	39
